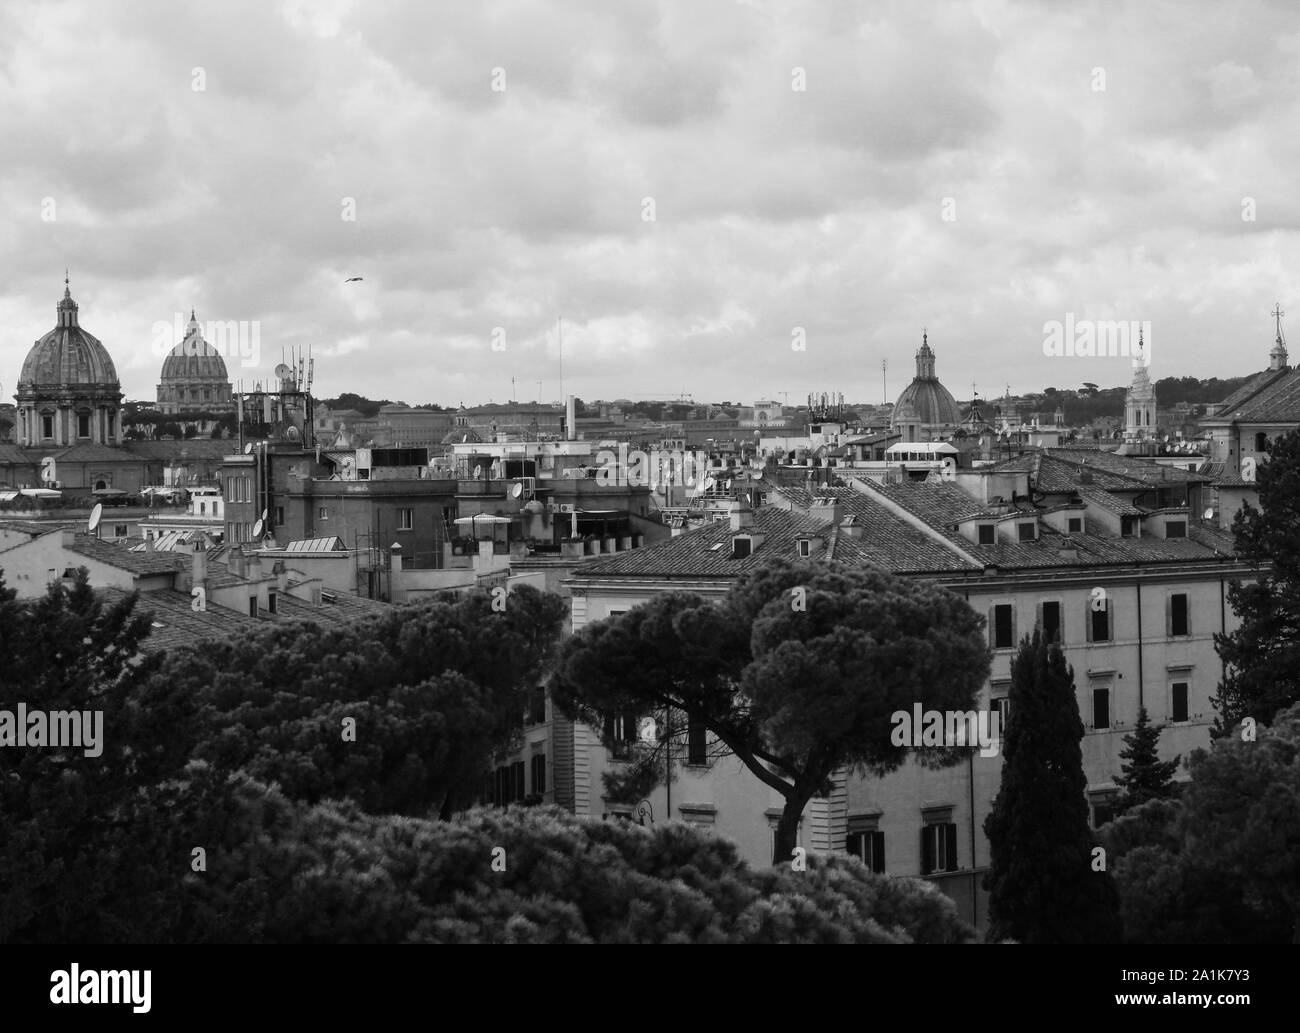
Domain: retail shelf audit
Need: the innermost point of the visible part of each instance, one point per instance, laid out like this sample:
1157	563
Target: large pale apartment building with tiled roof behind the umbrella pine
1119	567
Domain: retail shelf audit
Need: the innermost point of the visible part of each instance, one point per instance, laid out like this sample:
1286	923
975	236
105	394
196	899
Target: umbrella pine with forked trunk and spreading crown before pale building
798	671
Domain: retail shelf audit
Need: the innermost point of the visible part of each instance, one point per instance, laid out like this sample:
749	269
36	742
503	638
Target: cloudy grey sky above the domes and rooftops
686	184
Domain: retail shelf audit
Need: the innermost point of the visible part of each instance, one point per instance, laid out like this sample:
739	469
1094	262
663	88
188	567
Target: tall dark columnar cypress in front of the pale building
1046	886
